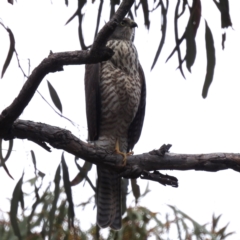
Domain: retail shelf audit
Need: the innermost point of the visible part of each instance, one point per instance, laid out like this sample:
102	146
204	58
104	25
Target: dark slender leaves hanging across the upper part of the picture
184	9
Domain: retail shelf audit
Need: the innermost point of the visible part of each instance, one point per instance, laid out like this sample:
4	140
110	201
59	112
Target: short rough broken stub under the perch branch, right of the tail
161	178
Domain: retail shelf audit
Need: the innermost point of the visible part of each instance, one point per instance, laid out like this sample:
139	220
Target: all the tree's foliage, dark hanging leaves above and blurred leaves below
52	213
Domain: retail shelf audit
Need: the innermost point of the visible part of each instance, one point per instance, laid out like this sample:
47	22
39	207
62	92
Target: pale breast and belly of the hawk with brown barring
120	89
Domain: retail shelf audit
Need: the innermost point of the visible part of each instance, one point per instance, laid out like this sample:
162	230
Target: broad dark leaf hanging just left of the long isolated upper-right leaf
191	49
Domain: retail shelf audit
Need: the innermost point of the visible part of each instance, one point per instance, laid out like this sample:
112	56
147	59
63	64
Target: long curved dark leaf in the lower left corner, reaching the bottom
16	197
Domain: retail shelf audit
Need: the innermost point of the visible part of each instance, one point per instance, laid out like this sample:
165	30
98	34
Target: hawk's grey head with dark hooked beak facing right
125	30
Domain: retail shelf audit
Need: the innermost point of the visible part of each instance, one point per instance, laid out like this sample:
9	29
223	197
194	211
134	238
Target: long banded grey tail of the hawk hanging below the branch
109	199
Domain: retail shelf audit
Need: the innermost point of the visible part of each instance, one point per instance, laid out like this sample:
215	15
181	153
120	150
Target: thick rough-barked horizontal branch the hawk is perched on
154	160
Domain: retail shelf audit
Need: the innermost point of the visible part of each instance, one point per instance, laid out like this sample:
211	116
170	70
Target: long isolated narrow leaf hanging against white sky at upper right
210	60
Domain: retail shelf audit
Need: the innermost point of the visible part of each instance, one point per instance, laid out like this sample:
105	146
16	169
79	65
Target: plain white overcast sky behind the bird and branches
176	112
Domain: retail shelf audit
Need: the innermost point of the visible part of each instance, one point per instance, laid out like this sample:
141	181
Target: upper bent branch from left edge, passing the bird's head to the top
55	62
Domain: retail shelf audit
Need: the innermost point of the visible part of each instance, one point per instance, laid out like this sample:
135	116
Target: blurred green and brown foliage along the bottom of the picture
48	218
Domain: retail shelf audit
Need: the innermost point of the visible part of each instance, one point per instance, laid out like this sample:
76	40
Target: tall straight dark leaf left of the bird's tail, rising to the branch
67	186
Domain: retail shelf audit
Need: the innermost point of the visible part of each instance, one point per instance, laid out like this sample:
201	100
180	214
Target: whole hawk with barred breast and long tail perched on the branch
115	106
